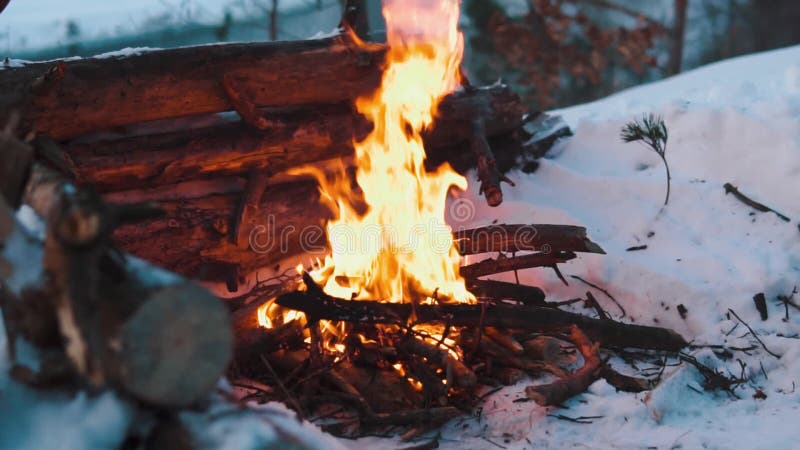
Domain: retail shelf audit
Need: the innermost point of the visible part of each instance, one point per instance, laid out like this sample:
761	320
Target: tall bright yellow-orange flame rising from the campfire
389	240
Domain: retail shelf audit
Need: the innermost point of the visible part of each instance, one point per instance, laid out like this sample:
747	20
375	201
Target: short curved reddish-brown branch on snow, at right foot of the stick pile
575	383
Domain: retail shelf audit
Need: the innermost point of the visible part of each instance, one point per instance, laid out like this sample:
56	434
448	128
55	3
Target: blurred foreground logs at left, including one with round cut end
162	340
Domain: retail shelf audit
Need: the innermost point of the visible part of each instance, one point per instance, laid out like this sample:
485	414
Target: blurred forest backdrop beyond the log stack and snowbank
555	52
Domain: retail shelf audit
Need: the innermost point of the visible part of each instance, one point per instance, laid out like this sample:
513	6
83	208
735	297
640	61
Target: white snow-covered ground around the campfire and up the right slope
736	121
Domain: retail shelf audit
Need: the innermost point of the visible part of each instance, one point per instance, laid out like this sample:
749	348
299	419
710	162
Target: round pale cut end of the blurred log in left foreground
176	346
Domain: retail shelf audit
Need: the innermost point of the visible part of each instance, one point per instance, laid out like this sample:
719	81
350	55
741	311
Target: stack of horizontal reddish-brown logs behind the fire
155	127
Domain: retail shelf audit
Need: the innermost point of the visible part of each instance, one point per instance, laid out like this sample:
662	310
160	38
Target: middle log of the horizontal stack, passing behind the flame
305	136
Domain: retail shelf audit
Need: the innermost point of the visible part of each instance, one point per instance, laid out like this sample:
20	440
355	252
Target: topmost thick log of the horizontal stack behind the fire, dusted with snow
107	92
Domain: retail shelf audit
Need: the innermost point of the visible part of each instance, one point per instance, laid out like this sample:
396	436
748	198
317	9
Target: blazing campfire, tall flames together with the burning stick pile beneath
388	331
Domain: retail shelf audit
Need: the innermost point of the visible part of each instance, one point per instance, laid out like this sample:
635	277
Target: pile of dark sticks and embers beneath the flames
407	368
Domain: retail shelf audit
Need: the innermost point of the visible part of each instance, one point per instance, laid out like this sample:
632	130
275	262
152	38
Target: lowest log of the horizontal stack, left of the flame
192	237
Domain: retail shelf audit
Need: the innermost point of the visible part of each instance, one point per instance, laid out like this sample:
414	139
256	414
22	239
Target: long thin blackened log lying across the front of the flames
317	305
